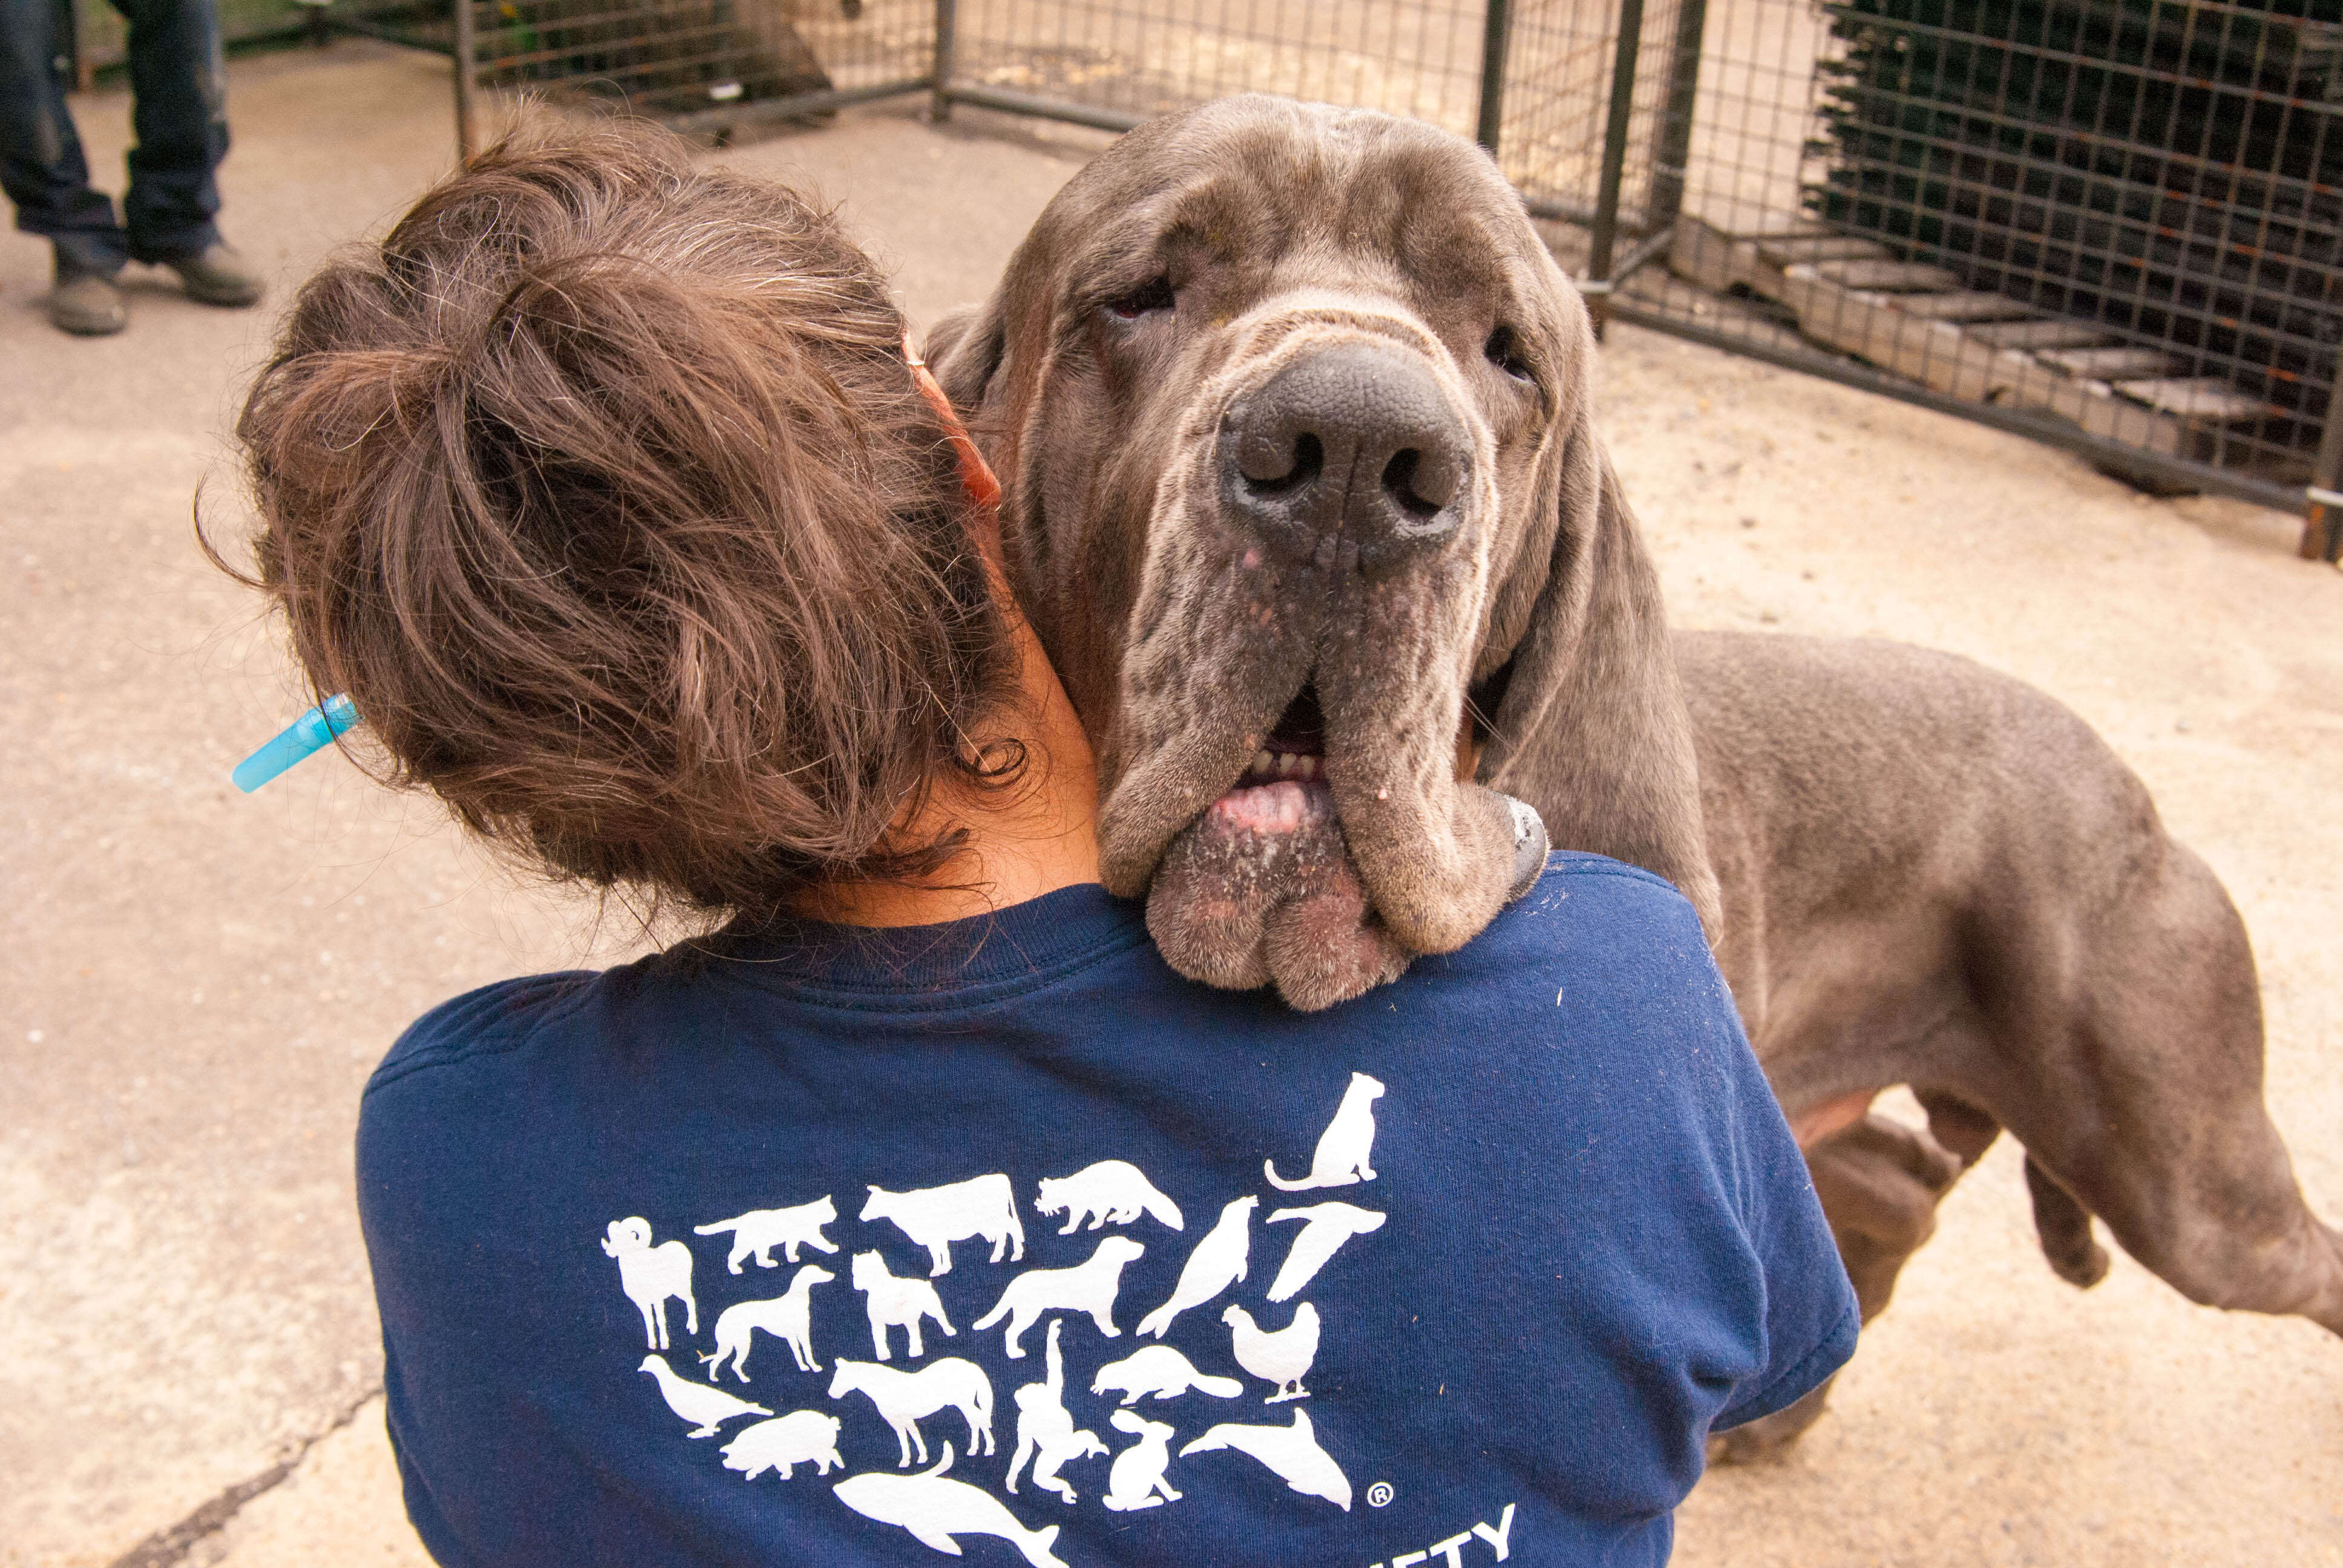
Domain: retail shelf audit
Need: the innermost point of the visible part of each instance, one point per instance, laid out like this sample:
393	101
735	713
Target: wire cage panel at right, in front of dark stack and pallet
2117	224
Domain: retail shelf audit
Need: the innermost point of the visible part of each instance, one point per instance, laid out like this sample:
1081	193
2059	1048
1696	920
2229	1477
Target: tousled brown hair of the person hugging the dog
606	493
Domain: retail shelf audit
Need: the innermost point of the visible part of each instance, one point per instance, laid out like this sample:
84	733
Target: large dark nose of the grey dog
1348	446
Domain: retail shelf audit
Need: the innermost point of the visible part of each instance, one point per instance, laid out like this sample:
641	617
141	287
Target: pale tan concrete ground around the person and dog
193	986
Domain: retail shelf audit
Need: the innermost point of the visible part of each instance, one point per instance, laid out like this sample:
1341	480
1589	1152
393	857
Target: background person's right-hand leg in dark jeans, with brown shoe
179	111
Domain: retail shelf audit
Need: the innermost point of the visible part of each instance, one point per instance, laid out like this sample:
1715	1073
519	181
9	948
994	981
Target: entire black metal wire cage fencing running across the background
1630	125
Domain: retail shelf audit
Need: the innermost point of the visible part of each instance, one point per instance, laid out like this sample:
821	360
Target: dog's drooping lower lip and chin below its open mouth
1262	889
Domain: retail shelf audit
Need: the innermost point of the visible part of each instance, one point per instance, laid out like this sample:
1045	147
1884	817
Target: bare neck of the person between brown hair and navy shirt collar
1025	838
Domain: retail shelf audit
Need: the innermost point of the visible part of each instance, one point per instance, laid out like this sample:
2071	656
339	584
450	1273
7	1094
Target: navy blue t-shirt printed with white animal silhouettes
1004	1241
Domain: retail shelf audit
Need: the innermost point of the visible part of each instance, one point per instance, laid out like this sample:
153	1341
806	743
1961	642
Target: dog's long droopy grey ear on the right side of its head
1592	728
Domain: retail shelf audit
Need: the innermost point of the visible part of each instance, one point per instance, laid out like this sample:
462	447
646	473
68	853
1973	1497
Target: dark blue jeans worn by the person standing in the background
179	114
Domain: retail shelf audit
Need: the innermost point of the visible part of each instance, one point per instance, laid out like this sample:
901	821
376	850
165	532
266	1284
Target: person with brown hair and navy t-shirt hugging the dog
613	496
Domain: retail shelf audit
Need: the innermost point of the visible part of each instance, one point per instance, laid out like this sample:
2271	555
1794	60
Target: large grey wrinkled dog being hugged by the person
1306	500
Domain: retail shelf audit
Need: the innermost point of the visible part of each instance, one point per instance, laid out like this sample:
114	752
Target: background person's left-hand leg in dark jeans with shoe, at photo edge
48	177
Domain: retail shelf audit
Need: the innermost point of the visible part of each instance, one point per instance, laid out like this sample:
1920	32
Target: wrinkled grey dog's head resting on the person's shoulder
1306	505
